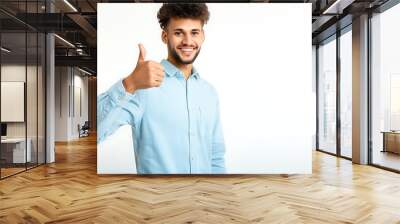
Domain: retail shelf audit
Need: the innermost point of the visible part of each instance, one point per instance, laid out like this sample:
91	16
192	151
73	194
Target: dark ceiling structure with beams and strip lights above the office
75	22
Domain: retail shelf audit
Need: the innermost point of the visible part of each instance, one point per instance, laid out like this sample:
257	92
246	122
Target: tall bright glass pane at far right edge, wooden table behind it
385	89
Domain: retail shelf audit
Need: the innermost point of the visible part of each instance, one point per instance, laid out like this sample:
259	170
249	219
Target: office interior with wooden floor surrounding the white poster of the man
48	104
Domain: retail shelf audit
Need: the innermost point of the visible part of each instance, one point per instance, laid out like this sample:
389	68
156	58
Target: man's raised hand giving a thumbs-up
147	74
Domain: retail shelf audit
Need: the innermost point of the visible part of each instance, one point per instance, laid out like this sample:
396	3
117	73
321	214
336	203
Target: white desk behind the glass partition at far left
18	149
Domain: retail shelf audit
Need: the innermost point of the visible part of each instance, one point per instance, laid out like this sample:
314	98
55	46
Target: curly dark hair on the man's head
182	10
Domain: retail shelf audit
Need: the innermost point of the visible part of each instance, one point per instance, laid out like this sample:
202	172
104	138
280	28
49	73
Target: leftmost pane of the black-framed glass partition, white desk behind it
13	94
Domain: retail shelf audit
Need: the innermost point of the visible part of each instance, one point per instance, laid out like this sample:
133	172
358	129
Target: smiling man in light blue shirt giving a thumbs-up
173	112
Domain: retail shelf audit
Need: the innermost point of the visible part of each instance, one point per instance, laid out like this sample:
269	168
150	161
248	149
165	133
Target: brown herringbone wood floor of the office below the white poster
70	191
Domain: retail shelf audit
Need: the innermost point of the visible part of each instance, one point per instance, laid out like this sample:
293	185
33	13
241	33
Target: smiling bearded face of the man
184	38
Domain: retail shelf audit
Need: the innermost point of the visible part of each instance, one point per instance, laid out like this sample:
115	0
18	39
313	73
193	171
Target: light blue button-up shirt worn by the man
177	127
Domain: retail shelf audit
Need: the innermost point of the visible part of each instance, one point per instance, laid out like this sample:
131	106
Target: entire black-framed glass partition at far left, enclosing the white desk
22	77
